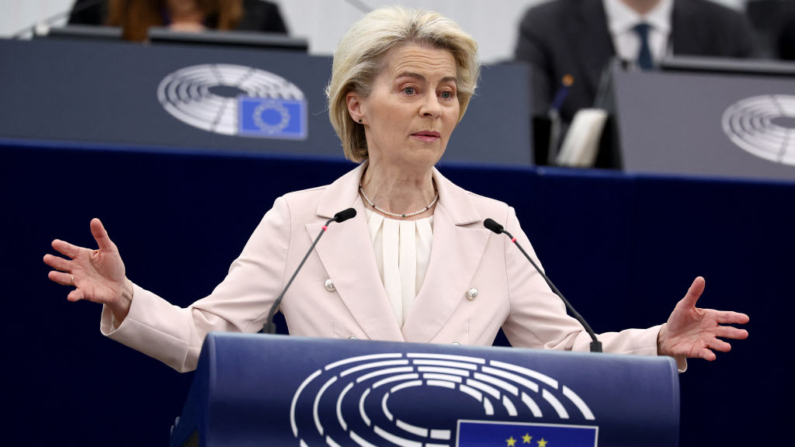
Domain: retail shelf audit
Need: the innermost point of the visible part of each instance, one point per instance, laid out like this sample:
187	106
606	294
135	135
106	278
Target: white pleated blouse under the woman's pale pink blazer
402	252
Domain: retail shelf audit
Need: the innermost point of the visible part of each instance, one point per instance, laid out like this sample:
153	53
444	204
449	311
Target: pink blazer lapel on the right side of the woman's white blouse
455	255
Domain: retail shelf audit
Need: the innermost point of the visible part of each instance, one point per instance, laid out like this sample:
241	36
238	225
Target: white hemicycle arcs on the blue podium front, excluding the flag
369	382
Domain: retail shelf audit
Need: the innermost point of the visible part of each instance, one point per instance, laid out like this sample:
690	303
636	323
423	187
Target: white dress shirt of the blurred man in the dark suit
621	19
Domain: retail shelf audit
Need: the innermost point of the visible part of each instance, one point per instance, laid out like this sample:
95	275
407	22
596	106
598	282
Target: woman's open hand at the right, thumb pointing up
693	332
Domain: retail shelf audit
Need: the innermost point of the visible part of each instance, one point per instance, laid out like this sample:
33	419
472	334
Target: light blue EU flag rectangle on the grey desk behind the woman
272	118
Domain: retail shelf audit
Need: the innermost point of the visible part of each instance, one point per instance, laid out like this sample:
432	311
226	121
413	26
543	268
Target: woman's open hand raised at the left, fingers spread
98	275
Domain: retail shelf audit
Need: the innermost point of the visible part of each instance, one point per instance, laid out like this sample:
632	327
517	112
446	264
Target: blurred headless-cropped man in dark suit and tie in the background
579	37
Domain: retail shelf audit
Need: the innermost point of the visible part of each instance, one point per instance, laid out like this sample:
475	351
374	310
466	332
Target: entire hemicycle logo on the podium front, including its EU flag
467	402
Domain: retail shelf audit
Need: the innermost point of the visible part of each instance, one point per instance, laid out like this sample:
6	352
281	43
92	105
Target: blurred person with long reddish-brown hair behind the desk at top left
135	17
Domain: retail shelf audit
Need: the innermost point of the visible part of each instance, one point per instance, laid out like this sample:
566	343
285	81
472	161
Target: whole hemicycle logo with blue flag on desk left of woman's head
235	100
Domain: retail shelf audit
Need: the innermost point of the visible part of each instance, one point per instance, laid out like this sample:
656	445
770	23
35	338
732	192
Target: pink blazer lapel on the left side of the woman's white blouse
347	256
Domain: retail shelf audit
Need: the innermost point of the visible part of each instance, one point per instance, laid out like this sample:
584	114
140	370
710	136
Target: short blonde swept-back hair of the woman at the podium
358	60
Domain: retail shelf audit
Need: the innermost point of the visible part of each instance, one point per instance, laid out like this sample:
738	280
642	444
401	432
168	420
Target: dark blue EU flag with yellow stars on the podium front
507	434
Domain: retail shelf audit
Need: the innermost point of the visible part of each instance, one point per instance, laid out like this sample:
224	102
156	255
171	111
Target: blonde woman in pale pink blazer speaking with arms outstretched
415	264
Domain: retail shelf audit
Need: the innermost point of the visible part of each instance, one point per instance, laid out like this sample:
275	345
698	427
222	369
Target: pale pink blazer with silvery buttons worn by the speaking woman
465	255
